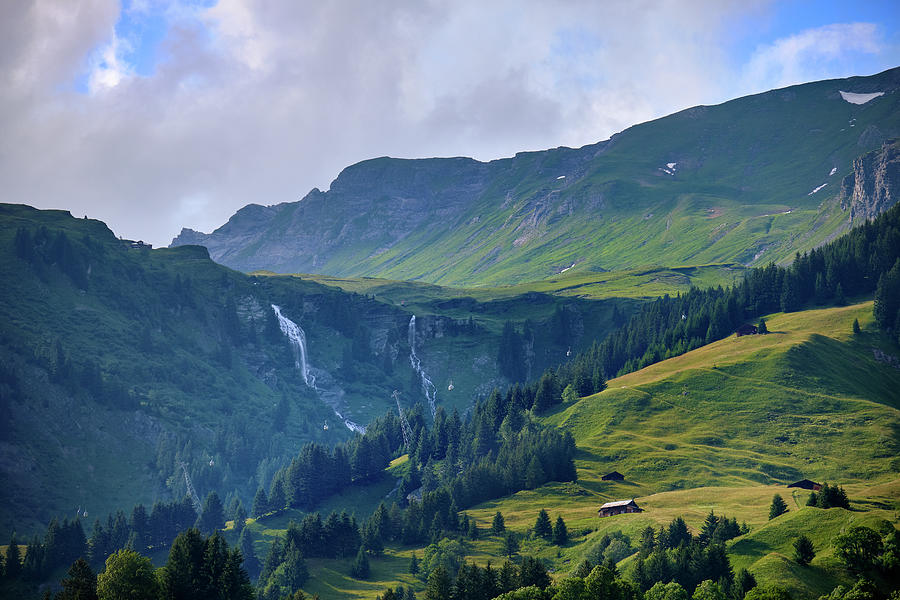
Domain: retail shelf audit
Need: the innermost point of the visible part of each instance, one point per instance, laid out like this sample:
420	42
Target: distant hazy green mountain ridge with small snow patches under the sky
750	181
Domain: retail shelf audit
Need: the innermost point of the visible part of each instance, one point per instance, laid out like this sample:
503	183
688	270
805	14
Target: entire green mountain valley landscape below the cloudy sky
349	389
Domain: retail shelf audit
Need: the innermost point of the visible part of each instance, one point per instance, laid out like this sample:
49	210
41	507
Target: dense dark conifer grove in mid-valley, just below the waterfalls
498	450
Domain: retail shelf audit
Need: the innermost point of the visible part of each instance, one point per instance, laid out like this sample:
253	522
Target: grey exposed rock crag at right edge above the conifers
874	185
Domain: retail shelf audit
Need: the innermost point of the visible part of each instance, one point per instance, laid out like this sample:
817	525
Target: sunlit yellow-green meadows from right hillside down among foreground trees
721	428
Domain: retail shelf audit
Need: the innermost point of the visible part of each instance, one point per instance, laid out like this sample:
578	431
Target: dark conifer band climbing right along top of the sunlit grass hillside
863	261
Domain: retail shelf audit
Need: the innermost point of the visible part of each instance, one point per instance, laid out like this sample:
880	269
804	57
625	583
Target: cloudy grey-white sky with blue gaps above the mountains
154	115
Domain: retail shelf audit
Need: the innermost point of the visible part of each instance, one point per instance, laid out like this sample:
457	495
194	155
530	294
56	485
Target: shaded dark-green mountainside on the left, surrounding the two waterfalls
117	362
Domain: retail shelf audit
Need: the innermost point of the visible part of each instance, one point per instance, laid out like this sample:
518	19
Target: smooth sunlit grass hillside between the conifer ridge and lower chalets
807	400
